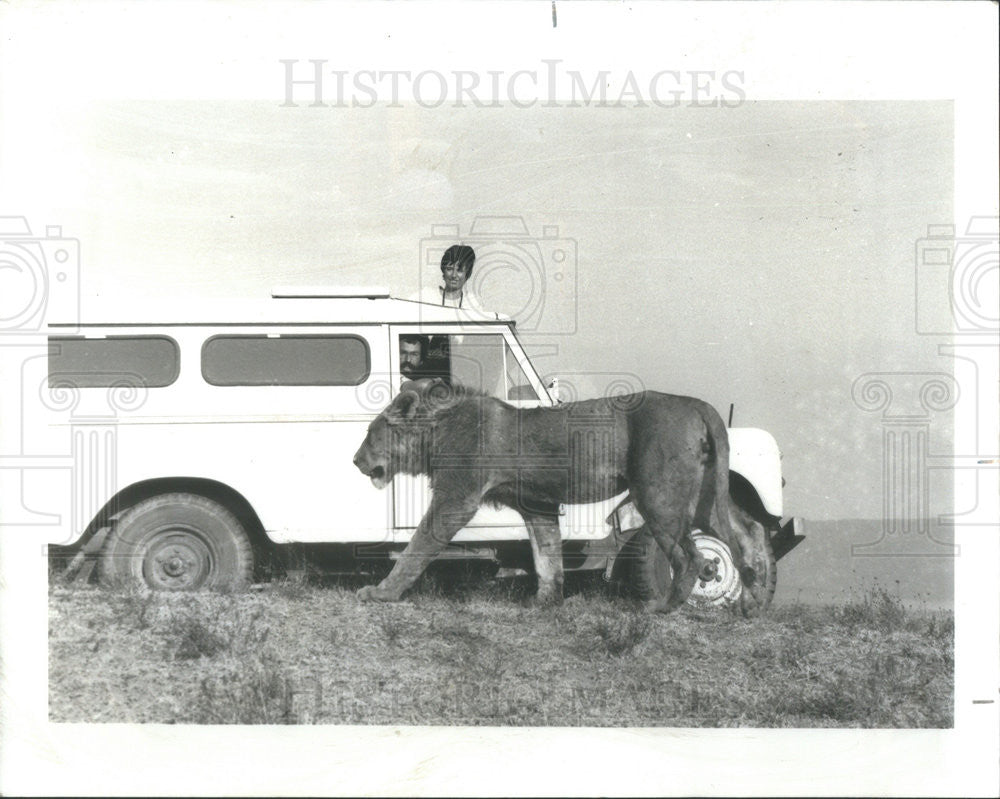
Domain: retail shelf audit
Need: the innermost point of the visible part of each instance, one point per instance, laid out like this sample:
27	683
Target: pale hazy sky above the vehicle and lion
761	255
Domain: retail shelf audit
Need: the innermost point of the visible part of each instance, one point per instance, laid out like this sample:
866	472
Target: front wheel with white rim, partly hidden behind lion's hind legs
650	575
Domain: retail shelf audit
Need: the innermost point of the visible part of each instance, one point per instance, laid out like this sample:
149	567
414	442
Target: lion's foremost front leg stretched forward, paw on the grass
439	525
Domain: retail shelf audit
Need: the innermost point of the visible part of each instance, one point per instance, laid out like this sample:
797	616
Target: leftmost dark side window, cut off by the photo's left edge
150	361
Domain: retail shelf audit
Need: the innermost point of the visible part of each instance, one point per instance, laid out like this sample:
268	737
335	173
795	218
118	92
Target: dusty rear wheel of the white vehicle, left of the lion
178	542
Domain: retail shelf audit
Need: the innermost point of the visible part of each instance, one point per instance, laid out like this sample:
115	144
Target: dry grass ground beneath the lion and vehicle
305	653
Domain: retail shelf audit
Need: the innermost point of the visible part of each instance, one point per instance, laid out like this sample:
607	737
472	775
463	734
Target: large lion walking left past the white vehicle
670	452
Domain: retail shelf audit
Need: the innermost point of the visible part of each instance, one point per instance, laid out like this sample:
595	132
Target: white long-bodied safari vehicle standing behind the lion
204	441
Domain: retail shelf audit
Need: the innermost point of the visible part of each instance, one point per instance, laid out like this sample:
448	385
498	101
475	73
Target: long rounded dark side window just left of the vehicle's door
285	360
